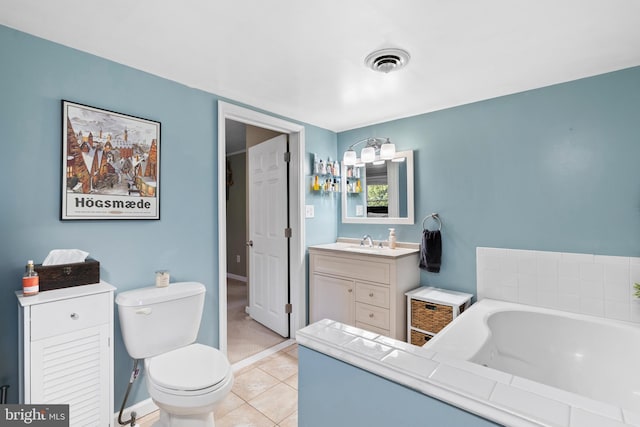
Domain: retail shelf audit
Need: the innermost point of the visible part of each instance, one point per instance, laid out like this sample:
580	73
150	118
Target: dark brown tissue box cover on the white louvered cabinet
68	275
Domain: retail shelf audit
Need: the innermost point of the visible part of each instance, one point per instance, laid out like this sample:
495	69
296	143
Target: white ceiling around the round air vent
305	59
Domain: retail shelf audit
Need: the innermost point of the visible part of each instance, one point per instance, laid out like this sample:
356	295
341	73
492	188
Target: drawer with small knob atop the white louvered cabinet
69	315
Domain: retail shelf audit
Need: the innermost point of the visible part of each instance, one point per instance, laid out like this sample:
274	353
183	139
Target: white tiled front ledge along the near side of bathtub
496	397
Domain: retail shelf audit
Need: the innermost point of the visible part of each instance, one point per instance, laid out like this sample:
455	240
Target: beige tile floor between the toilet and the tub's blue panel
265	394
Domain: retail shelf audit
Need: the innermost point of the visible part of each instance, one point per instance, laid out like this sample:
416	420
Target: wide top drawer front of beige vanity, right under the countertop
354	268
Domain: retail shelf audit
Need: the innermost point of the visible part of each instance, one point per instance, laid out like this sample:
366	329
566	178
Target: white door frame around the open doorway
296	212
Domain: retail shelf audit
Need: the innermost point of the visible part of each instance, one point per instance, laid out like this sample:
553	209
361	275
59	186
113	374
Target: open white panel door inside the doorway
268	258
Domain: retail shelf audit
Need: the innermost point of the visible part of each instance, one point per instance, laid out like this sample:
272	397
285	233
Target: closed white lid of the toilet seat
194	367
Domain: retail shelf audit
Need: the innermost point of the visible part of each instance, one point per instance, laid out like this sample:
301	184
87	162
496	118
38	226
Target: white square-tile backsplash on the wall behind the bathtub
596	285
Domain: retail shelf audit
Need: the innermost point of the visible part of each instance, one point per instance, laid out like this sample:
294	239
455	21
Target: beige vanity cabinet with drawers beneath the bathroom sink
362	290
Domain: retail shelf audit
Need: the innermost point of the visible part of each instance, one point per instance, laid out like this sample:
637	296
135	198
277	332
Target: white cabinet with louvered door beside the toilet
66	351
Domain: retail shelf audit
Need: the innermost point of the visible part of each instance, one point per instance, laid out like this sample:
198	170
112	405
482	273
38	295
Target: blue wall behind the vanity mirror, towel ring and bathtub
551	169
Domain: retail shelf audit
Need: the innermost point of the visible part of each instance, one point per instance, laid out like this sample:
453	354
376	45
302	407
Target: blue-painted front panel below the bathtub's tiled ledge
334	393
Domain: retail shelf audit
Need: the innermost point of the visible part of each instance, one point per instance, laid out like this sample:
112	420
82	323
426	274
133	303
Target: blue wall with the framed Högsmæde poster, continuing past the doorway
35	75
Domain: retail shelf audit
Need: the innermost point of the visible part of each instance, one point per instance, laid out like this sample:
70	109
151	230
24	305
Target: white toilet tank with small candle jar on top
156	320
